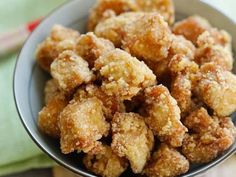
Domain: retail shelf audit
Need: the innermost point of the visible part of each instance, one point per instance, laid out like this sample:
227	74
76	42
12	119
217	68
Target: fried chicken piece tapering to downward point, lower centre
131	138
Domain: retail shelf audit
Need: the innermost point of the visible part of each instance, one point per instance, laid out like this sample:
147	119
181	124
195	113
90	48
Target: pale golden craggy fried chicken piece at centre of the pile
123	75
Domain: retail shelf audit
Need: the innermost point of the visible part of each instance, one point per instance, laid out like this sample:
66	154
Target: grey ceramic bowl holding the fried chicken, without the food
29	79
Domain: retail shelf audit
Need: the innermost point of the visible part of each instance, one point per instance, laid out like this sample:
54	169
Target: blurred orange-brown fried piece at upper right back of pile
191	27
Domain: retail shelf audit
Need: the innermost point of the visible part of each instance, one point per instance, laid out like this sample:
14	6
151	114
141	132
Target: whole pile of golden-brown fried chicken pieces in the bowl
139	89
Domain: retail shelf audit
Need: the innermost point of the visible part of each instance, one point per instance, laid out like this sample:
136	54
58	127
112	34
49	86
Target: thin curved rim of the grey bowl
61	162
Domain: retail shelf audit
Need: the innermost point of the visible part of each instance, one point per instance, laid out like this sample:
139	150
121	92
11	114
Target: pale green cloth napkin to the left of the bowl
17	150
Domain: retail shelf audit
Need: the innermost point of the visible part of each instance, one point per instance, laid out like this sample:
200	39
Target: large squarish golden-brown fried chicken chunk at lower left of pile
82	124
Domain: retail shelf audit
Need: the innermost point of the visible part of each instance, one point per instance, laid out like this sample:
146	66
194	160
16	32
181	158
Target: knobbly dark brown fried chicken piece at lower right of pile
212	136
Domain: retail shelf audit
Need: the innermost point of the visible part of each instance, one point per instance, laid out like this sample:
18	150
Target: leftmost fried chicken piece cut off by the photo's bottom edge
106	164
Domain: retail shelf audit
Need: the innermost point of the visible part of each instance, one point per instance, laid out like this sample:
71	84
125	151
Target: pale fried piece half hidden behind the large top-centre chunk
113	28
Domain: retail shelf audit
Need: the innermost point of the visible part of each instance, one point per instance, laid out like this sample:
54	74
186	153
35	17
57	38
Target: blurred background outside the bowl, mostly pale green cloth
18	154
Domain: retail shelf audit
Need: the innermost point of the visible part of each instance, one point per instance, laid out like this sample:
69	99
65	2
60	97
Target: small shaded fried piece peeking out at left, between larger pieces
50	90
